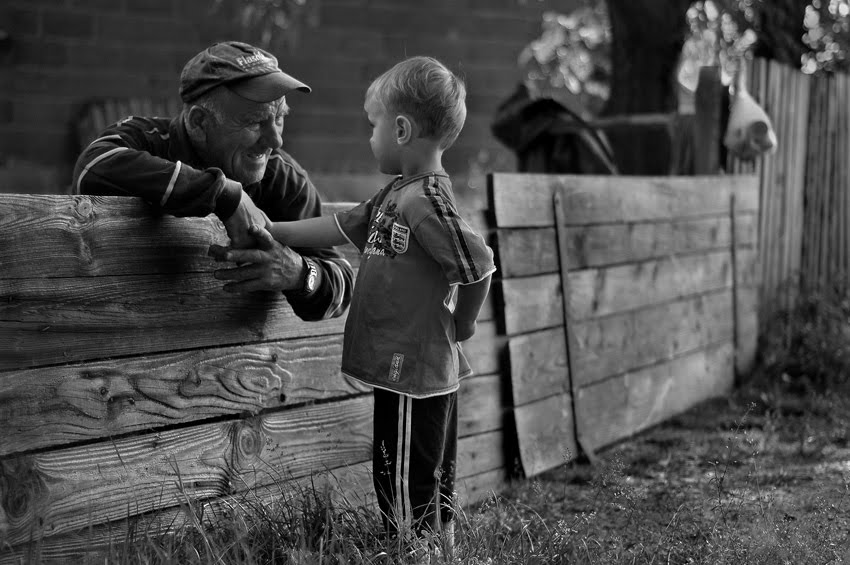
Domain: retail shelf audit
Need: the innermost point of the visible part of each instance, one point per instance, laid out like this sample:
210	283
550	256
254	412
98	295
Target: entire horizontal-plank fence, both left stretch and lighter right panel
133	389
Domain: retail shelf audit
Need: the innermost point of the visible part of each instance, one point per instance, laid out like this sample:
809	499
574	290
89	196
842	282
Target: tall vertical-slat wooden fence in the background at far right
805	186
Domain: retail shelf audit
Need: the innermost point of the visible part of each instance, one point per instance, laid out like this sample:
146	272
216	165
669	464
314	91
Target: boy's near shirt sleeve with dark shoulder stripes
463	254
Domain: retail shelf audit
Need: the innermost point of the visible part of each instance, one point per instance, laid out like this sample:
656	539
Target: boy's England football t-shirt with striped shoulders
400	333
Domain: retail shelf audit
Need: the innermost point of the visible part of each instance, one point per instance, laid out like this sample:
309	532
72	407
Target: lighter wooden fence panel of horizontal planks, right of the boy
626	300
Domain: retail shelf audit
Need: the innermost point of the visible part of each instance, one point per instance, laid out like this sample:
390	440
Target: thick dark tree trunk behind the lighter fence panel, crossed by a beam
647	40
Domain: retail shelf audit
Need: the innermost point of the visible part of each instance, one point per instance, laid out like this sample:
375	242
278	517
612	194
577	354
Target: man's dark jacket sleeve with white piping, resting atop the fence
128	159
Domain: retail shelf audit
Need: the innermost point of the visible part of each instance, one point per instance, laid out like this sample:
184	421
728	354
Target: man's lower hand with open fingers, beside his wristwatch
268	266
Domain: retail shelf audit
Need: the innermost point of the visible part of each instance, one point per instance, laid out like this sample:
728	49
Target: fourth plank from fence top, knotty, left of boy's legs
60	491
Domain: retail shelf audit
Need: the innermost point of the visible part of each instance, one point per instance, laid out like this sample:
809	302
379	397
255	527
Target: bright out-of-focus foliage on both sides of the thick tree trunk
573	50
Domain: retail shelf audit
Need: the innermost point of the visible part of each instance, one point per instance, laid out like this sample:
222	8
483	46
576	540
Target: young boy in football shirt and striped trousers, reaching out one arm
418	255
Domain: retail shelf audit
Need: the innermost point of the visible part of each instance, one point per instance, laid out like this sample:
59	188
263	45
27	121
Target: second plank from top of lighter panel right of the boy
533	251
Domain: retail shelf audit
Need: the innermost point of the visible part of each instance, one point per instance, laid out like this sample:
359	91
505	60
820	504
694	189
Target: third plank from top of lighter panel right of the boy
534	303
